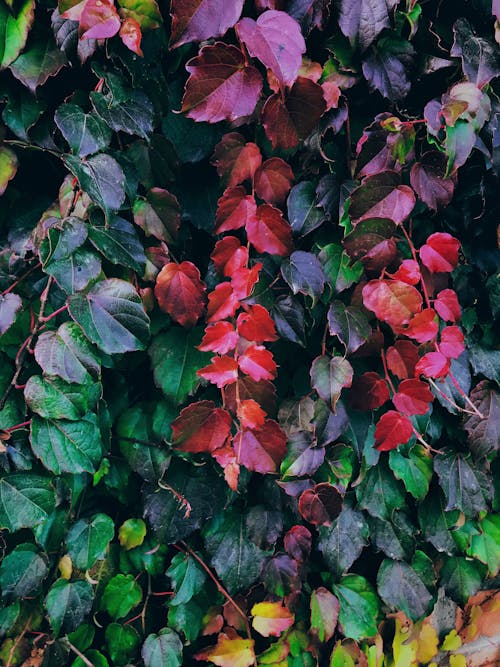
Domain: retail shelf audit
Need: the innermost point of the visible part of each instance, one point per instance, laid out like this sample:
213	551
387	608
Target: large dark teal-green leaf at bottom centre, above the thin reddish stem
236	559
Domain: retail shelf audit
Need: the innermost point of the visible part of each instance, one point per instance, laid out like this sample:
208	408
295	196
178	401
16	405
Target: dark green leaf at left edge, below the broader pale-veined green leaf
22	572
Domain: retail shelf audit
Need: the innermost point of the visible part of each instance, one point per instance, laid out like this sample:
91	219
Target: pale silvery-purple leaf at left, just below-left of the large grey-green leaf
67	354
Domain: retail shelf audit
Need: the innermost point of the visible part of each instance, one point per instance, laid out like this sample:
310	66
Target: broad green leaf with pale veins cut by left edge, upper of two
25	500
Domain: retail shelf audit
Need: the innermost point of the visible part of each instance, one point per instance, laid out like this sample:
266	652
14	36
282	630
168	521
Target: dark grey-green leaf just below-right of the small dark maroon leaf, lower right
342	543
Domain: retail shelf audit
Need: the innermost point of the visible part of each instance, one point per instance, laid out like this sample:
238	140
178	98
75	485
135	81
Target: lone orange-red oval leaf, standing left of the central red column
180	292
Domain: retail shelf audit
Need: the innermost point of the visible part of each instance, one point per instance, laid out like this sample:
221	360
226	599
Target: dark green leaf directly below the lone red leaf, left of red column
175	360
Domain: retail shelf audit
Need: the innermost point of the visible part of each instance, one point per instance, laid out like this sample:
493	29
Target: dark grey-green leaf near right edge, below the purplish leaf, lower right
466	488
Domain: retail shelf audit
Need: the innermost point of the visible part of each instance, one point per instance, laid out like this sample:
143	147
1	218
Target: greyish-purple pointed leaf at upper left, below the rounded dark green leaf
102	178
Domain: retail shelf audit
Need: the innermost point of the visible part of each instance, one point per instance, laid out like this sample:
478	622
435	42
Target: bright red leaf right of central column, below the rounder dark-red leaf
269	232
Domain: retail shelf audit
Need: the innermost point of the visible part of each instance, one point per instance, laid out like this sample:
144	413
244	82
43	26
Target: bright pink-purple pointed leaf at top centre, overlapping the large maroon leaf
275	39
